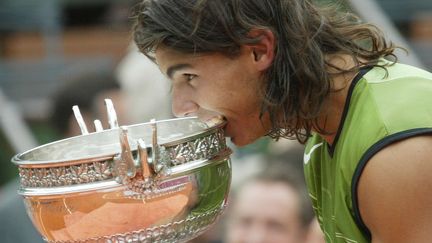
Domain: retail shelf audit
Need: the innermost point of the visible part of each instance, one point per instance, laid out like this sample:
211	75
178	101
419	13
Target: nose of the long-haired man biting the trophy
182	103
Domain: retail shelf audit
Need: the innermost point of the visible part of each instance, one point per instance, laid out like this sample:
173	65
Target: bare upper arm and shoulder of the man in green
395	192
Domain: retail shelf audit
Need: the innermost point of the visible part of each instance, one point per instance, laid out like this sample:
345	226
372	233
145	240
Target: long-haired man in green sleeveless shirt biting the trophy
286	68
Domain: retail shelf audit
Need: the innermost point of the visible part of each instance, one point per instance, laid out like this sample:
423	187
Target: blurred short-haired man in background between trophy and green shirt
270	207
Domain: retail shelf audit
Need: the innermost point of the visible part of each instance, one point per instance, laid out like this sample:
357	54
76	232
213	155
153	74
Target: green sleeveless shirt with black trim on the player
380	109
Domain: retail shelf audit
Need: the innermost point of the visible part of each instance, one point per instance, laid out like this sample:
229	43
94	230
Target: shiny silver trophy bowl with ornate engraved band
161	181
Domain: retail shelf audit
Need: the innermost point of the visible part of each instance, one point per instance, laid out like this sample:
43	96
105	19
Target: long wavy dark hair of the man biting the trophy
299	80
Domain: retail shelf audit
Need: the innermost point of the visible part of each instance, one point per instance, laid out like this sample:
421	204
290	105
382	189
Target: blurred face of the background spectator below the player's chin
265	212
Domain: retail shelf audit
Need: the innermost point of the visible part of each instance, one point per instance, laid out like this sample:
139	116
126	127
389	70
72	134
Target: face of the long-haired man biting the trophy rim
215	85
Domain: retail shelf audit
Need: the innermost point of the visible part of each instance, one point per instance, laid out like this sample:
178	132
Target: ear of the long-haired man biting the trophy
263	51
